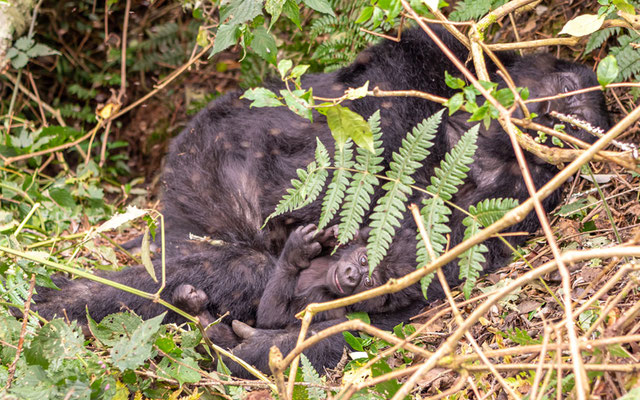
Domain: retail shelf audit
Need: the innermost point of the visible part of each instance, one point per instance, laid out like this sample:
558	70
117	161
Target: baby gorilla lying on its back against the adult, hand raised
305	273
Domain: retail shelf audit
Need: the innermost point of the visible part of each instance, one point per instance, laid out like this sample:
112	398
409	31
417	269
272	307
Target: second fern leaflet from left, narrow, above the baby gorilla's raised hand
343	159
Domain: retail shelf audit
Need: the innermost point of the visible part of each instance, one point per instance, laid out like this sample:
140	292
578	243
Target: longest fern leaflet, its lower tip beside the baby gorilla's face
390	207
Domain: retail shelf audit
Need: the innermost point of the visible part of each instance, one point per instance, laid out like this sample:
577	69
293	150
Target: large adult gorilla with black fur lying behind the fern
229	168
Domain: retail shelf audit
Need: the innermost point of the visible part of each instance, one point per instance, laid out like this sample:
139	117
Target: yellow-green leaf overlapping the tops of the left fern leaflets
345	124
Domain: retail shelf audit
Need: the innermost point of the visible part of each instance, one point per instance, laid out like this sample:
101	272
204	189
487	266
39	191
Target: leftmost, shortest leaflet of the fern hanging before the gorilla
308	185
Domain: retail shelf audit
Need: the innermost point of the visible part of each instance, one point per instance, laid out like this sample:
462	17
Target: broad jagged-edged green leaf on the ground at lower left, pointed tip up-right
132	352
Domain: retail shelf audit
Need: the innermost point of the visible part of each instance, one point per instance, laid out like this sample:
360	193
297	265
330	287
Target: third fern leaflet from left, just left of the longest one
362	186
